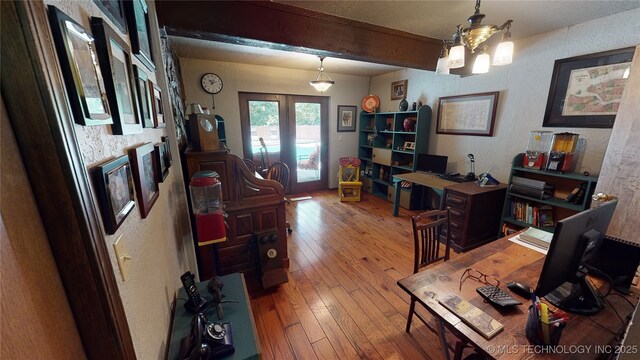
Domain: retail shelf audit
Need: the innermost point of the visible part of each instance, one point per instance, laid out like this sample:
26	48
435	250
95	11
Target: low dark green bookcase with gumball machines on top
556	206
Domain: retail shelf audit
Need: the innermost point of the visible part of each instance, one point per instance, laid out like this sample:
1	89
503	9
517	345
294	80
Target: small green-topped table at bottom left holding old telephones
245	338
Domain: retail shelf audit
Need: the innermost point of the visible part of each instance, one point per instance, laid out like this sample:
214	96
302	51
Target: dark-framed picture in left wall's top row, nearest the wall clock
138	19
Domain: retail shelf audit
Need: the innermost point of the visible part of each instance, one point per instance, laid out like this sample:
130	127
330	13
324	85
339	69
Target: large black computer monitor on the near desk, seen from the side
575	241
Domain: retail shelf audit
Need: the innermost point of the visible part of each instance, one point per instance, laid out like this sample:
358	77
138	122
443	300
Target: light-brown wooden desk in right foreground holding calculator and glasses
508	261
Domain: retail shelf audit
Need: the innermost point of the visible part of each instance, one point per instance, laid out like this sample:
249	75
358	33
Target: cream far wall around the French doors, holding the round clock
348	90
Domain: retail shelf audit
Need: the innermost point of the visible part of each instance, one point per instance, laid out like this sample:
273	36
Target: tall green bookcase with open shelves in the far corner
386	149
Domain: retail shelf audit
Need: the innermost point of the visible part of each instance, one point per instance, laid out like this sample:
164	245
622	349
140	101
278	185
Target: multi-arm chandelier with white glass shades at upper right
473	37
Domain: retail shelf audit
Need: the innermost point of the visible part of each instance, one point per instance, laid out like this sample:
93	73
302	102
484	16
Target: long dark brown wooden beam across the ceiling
289	28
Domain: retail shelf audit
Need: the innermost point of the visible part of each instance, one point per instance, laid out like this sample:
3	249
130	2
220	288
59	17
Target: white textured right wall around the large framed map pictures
523	86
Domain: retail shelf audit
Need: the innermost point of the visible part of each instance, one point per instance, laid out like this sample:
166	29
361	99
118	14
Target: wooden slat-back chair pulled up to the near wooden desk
427	232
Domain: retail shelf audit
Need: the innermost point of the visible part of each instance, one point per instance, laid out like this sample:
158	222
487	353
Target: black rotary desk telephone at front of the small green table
208	340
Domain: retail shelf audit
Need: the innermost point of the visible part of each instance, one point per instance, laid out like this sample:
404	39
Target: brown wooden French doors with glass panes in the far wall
294	129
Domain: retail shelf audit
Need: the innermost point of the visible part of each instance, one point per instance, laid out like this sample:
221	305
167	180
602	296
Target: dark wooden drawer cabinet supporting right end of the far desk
474	214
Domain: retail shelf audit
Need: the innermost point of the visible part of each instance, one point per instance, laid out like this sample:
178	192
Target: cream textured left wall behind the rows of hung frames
160	246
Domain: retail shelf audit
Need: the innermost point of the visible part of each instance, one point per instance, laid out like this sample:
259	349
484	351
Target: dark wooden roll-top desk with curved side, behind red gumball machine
252	205
